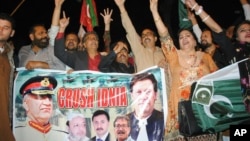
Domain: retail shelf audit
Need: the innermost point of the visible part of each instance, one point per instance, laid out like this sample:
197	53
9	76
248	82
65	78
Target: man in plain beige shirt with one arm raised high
144	48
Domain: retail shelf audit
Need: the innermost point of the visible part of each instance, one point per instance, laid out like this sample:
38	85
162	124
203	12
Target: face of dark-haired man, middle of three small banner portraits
100	124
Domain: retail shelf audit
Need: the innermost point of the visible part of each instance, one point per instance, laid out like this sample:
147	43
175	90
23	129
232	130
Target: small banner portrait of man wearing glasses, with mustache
122	128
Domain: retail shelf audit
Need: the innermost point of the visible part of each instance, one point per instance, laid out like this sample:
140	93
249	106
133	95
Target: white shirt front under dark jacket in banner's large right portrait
142	136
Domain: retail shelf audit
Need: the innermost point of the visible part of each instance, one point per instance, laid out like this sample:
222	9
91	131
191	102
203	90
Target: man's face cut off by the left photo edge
6	30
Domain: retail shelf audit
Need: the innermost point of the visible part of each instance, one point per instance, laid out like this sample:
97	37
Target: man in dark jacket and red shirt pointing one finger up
88	59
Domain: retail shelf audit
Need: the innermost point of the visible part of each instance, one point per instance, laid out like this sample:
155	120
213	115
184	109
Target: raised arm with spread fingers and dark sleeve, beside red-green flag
107	20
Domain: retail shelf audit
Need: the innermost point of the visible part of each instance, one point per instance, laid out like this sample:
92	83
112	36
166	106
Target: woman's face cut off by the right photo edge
243	33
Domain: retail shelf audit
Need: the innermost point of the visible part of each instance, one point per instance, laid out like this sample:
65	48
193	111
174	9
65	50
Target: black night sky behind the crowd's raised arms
40	11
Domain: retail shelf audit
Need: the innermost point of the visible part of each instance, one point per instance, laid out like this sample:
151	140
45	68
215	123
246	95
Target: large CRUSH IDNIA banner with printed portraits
53	105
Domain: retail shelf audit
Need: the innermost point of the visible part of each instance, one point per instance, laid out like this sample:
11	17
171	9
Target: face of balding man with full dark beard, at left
40	37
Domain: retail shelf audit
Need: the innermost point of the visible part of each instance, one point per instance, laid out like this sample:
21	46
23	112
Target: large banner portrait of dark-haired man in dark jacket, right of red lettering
147	123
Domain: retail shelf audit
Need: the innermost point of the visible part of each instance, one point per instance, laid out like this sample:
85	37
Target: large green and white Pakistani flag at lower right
217	100
